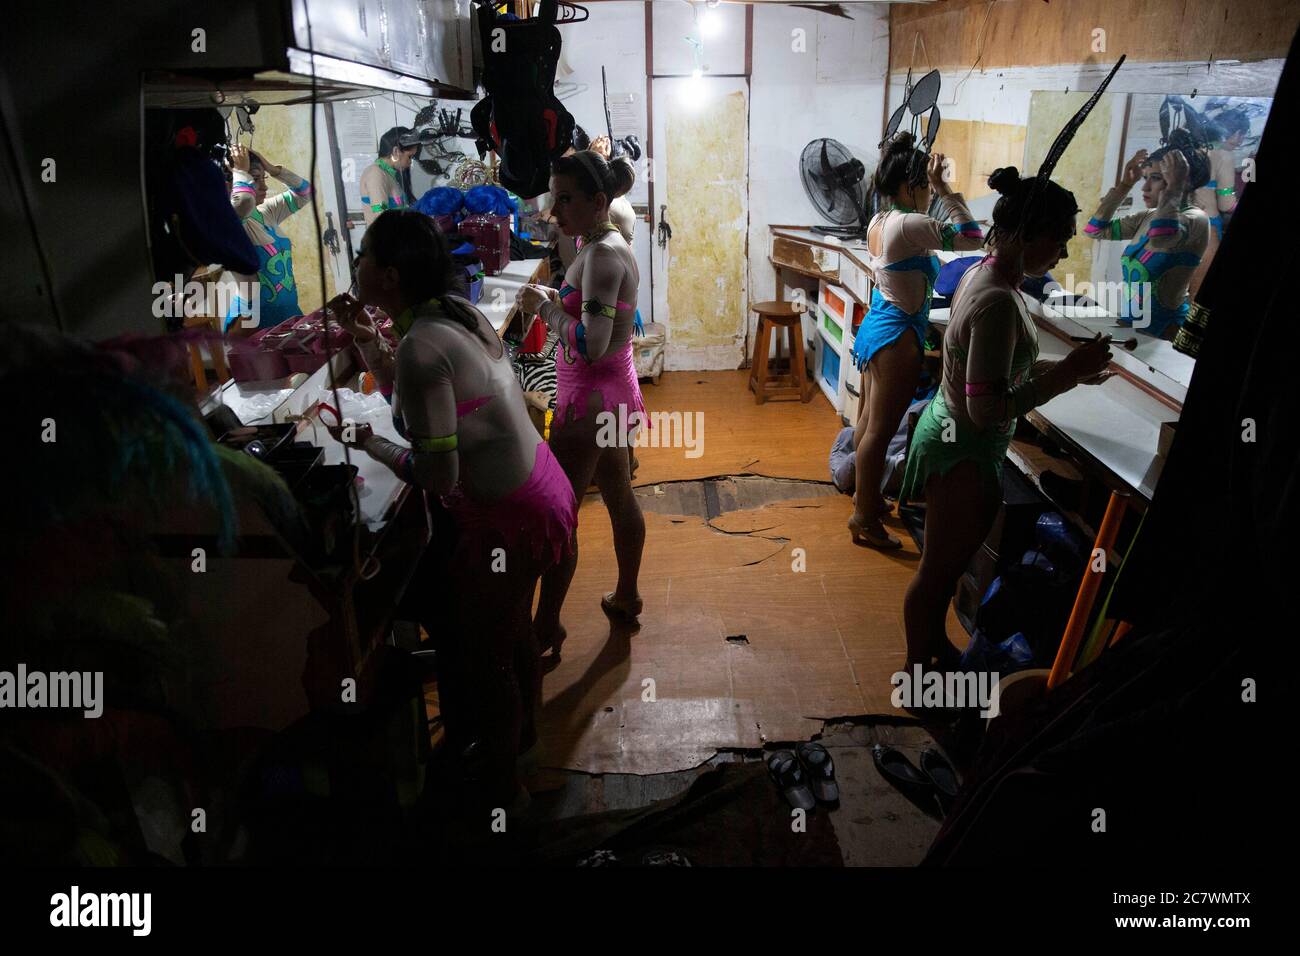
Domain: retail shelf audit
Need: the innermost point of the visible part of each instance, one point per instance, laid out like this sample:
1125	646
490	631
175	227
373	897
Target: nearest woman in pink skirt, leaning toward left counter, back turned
473	443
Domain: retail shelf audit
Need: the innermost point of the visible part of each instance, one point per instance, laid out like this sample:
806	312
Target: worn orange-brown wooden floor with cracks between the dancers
761	622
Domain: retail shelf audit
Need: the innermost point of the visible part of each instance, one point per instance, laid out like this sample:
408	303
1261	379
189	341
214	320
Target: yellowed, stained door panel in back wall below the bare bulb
707	183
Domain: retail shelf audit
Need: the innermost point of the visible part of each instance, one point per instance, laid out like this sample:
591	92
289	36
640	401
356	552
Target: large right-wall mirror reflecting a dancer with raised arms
1227	128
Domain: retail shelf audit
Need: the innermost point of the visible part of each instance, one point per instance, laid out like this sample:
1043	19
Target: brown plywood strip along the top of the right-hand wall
1032	33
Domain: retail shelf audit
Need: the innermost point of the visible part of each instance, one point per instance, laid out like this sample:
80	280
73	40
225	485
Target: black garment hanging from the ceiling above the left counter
521	116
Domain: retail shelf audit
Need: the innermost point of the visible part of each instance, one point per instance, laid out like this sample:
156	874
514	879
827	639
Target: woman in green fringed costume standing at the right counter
993	377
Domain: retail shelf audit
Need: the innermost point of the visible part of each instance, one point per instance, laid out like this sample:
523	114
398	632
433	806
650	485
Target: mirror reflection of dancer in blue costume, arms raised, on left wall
261	215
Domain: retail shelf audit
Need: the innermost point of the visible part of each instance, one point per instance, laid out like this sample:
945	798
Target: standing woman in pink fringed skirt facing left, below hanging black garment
593	315
